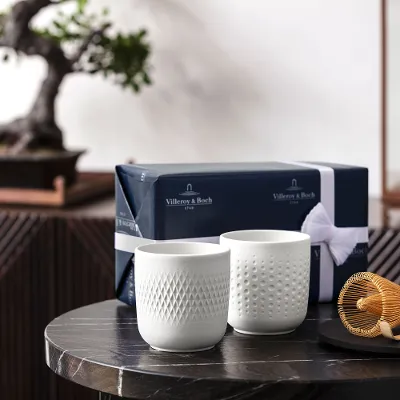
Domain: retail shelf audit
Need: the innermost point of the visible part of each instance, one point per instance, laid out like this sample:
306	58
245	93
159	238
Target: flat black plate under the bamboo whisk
334	333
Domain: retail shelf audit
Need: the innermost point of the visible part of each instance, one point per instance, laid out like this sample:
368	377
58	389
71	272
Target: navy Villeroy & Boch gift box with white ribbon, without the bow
202	201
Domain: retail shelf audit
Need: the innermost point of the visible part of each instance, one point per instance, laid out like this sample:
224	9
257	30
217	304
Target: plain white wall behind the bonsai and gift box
234	81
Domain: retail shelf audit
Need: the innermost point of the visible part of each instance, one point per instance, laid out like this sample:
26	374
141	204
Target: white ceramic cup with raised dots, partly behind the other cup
270	273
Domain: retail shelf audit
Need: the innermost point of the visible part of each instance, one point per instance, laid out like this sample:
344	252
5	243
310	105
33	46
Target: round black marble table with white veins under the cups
99	347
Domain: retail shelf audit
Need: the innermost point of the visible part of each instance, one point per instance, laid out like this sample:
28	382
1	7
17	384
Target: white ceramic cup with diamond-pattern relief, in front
182	295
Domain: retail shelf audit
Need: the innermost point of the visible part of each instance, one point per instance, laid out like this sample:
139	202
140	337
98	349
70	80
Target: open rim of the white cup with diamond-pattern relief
210	249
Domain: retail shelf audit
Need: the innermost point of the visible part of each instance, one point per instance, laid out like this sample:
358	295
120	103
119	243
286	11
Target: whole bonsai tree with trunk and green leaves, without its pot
74	42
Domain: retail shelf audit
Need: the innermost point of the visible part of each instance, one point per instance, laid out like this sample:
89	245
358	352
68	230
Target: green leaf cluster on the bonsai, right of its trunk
88	42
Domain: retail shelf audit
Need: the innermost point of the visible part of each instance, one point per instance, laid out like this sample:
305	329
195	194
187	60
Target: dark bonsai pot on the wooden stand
38	170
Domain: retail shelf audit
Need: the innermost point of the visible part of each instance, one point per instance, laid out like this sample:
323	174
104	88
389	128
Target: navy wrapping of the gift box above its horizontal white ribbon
170	201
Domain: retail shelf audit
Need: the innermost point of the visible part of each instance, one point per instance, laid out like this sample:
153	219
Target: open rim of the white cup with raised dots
293	236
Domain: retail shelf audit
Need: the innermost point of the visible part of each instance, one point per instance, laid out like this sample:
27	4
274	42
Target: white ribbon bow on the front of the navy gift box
340	241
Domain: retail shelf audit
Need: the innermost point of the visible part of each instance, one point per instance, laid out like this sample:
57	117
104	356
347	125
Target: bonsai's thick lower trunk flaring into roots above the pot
38	128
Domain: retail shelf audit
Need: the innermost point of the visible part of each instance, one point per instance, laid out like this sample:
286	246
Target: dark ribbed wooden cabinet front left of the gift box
51	261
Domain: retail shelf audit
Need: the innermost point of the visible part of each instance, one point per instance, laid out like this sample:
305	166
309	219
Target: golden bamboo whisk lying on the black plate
365	300
